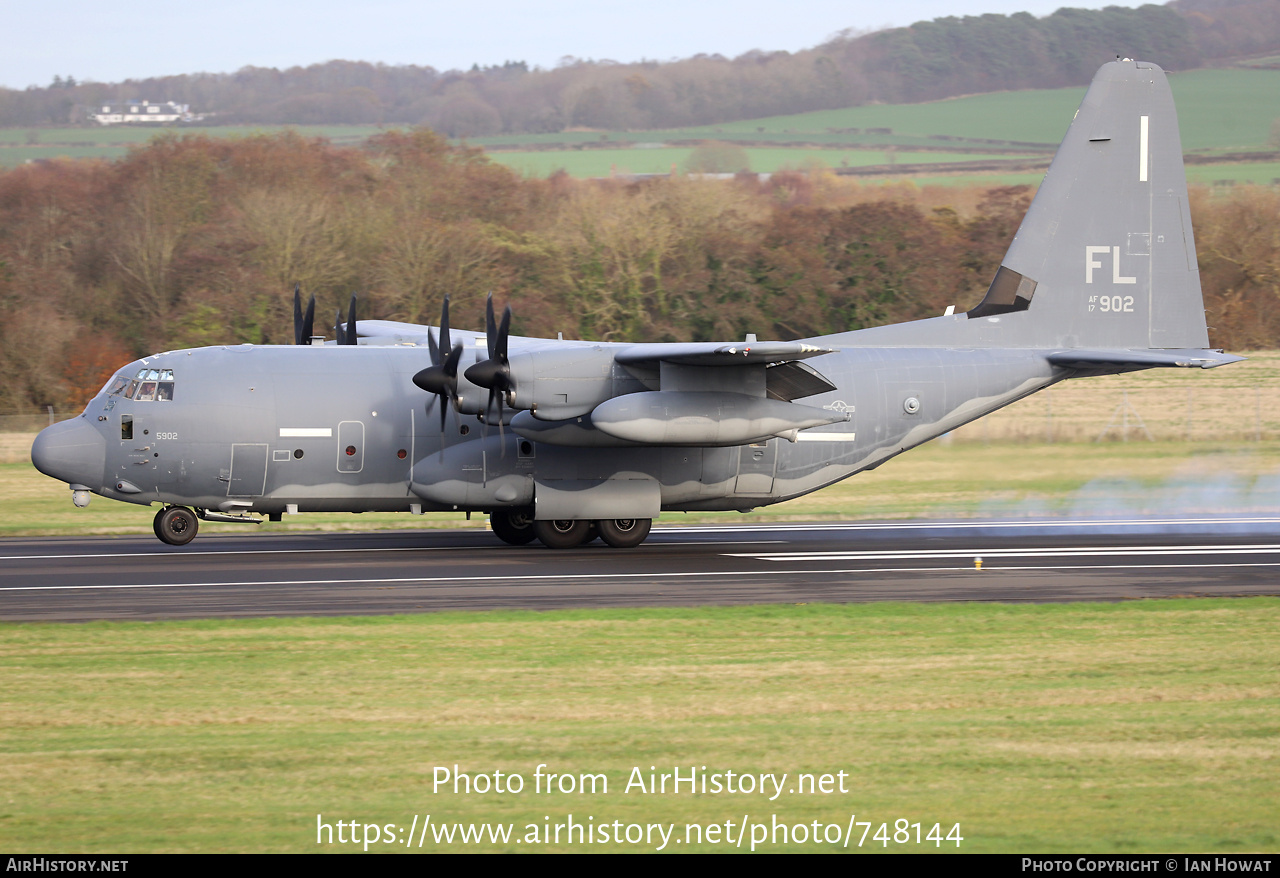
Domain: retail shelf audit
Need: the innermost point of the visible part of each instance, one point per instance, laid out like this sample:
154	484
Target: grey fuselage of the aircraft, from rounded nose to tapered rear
272	429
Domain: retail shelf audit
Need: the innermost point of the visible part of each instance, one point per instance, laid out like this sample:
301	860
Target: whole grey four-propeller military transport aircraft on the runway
565	441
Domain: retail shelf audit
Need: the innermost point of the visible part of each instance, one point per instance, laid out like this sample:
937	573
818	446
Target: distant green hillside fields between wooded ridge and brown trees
1219	112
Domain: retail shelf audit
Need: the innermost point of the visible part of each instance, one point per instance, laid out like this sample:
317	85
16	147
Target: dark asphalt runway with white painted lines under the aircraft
61	579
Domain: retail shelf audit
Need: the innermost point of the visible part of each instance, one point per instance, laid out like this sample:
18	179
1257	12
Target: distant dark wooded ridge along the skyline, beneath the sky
927	61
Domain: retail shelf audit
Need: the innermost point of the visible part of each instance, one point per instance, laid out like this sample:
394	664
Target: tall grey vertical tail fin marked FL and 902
1105	257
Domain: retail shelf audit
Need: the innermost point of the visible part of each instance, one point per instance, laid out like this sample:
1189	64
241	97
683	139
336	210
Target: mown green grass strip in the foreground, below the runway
1149	726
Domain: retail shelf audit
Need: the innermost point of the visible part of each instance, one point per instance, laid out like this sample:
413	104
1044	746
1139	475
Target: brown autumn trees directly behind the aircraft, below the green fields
195	241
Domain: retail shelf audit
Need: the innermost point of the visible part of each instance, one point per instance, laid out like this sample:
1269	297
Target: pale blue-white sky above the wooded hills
139	39
